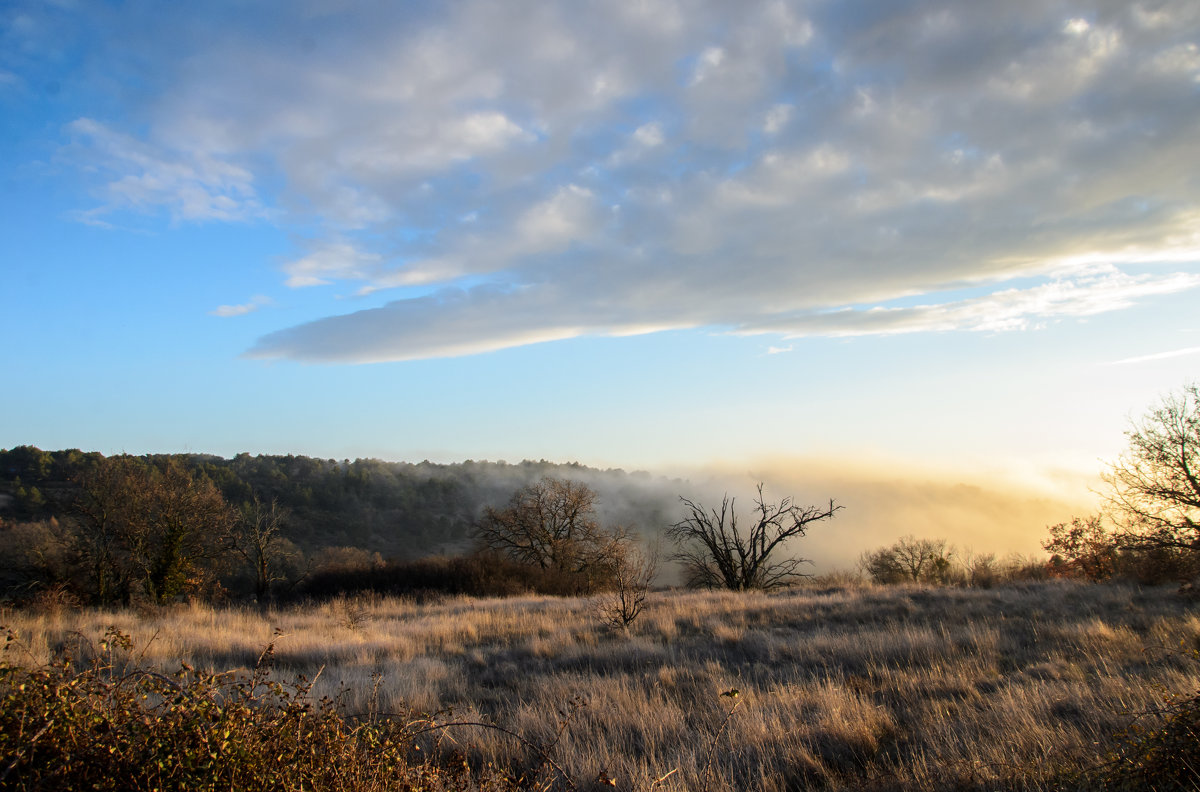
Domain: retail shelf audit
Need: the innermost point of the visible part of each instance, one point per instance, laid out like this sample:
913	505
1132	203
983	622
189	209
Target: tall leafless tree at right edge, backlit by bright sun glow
1155	487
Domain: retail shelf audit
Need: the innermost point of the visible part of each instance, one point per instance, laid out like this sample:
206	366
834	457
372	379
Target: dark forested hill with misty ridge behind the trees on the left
397	509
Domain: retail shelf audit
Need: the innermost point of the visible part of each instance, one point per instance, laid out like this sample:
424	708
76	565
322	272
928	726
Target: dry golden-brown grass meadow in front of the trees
1030	686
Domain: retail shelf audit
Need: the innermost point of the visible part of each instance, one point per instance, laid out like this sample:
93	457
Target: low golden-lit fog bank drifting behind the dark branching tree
1001	515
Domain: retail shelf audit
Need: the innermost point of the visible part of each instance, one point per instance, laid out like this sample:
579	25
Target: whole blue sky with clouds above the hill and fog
923	242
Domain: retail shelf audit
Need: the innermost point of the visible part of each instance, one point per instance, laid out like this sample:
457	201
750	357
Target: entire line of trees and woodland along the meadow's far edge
123	529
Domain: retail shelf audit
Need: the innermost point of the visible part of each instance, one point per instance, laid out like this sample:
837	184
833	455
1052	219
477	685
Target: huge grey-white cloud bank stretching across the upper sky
755	167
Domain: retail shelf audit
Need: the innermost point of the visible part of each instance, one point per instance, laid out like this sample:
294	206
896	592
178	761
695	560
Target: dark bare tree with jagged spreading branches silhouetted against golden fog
716	553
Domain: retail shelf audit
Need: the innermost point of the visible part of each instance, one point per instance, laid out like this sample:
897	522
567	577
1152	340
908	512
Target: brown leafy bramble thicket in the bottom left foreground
105	725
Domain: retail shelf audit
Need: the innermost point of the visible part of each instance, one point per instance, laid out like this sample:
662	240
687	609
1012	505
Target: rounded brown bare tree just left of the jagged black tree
553	525
